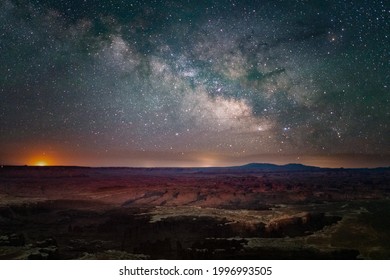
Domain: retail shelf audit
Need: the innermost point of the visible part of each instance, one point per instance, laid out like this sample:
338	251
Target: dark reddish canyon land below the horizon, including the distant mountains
249	212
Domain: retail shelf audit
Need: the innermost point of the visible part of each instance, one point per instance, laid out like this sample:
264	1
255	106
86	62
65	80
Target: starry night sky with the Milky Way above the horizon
195	83
